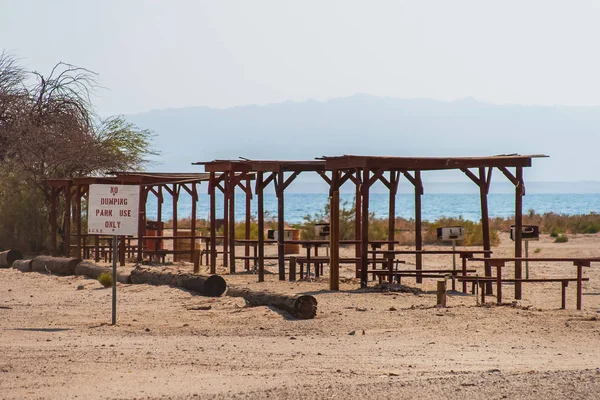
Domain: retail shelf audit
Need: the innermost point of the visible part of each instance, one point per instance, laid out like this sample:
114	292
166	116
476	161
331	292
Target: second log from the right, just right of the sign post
213	286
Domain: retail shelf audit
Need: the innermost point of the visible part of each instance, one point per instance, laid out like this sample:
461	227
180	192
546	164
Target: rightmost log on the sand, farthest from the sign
300	306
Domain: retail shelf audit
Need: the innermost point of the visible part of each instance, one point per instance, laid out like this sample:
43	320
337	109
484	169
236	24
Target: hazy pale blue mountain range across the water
370	125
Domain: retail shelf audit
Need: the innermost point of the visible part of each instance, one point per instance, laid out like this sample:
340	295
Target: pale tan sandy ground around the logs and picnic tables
57	341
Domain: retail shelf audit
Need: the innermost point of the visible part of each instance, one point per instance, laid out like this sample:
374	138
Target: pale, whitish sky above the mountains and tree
161	54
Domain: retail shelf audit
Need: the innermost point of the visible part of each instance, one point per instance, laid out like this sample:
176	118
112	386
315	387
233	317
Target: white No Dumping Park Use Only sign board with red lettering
113	209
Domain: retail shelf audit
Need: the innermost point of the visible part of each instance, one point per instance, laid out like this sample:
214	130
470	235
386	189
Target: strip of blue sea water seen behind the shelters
434	206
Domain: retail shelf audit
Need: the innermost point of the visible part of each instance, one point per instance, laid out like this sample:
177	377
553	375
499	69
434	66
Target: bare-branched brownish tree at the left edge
49	129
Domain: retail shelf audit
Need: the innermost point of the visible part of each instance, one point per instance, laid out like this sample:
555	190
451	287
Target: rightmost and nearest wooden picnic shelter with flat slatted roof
369	169
